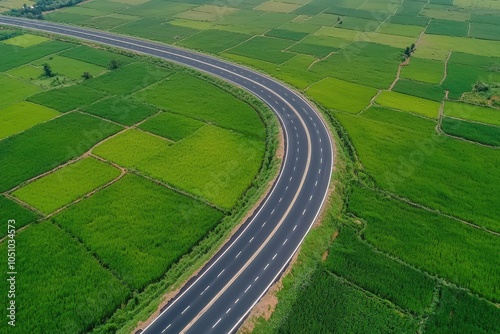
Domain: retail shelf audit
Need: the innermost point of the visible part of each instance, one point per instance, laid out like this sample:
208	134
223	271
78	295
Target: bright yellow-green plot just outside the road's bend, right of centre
341	95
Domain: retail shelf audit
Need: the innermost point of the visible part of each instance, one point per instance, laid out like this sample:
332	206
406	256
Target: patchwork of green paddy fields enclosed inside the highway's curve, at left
89	159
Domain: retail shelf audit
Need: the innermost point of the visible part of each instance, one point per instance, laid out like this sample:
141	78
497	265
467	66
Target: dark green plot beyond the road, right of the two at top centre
273	49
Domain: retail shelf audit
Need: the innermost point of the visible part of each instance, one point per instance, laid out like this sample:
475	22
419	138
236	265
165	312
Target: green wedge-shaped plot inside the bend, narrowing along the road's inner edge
211	105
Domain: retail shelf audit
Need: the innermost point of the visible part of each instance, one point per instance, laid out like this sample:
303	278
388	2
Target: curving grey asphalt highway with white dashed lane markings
226	289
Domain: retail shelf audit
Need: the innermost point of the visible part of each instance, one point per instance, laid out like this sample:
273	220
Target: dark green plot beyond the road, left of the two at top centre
213	41
